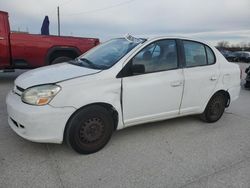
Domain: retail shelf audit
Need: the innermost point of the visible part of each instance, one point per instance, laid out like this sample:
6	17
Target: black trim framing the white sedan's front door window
123	72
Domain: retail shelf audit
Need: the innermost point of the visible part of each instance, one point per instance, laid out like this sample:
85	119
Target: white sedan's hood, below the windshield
52	74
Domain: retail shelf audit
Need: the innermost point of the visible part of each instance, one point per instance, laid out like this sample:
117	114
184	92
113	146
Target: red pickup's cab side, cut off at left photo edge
4	41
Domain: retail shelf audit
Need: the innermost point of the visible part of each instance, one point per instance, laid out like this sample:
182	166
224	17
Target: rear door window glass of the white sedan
197	54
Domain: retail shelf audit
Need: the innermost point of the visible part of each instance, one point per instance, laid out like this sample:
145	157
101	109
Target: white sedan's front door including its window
156	93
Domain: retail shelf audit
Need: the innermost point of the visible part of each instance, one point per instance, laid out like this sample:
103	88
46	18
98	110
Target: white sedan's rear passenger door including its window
201	74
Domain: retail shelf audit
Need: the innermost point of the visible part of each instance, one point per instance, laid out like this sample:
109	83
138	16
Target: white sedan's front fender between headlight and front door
95	89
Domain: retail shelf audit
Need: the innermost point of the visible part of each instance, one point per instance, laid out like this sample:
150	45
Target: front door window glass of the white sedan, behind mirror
158	56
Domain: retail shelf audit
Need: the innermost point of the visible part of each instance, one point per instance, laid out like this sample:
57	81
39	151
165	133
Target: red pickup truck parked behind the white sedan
26	51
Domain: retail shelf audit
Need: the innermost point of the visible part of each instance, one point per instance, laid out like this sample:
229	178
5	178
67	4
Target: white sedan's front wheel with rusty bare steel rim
89	130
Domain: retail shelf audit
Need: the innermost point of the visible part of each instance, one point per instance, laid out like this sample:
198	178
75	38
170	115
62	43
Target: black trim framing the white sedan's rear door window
204	45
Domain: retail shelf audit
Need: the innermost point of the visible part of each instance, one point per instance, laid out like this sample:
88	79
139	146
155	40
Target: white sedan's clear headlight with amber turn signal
40	95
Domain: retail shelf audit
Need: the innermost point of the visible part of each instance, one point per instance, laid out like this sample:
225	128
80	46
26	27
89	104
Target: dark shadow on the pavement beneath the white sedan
153	130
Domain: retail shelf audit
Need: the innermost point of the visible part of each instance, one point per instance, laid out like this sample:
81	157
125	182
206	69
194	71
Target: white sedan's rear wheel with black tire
214	109
